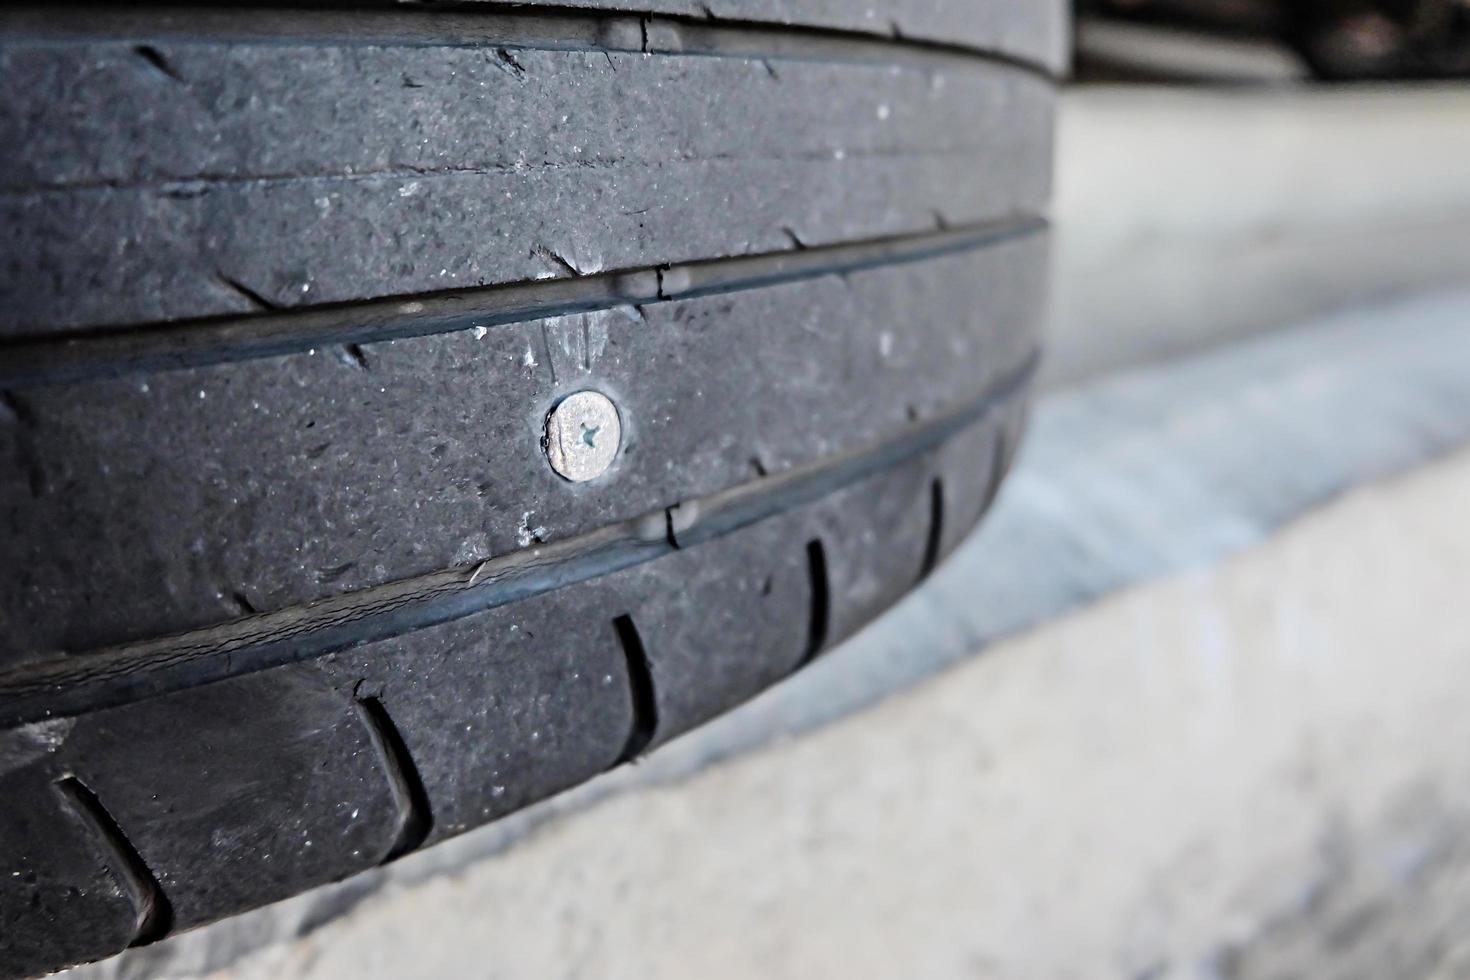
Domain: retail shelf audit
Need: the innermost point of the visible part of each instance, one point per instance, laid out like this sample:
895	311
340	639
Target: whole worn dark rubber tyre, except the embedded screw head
289	587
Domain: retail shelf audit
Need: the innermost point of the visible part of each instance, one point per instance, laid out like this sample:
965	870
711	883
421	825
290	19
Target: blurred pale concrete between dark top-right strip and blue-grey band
1193	217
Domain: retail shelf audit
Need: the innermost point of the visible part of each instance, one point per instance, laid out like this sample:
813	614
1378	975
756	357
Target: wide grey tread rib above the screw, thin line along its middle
465	167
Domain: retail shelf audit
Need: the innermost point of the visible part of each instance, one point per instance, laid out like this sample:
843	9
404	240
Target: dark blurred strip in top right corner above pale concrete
1256	40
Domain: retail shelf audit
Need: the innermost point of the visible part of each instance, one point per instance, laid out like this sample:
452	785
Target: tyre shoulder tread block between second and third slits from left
501	709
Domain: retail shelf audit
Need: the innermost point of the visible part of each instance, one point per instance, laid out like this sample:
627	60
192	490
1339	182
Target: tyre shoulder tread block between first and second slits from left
240	793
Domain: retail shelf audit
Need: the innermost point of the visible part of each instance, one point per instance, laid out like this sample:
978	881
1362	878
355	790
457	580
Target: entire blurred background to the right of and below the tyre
1193	703
